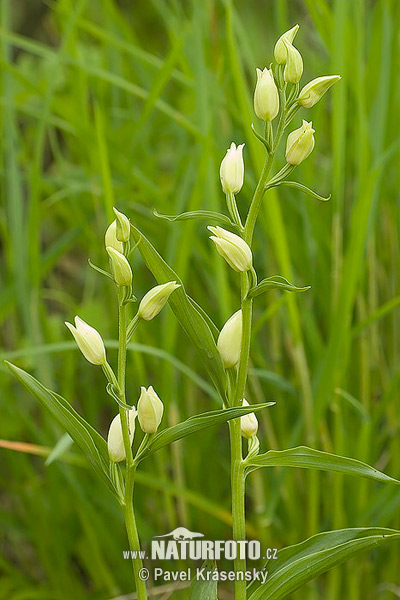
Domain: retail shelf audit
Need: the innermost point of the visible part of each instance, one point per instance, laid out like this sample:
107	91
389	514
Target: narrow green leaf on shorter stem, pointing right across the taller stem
197	423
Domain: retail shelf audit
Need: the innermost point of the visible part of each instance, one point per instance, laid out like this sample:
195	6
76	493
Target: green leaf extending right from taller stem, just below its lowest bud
309	458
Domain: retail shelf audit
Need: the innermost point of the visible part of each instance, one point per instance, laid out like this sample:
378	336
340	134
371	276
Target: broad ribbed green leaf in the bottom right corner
296	565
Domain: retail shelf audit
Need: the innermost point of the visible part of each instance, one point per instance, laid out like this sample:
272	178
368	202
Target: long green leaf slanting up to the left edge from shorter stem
92	444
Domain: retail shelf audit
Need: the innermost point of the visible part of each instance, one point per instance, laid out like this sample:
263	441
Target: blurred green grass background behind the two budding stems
133	104
